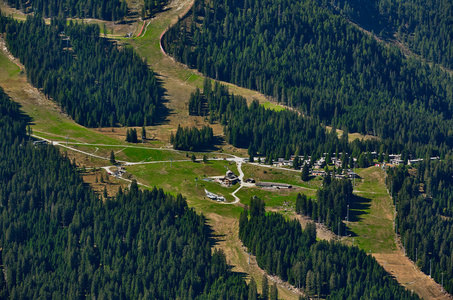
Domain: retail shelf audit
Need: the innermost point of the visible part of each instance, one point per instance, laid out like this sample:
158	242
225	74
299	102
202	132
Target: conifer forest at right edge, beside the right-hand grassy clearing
424	203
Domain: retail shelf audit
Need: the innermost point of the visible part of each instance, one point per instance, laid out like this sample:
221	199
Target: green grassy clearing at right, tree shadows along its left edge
372	213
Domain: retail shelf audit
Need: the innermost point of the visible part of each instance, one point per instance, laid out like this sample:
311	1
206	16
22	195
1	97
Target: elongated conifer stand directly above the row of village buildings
263	131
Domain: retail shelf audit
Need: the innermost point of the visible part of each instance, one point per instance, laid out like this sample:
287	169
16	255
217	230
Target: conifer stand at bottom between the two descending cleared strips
322	268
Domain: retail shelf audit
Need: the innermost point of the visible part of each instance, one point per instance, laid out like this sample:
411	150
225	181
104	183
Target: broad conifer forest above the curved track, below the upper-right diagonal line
304	56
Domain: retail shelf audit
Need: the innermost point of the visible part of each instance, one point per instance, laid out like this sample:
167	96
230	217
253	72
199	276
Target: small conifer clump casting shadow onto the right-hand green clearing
331	203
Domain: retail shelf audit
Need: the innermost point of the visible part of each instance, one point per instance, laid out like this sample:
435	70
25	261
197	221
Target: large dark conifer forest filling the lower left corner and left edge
58	239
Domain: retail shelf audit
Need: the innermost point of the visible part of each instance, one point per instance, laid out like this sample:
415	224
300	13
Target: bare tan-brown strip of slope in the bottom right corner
410	276
